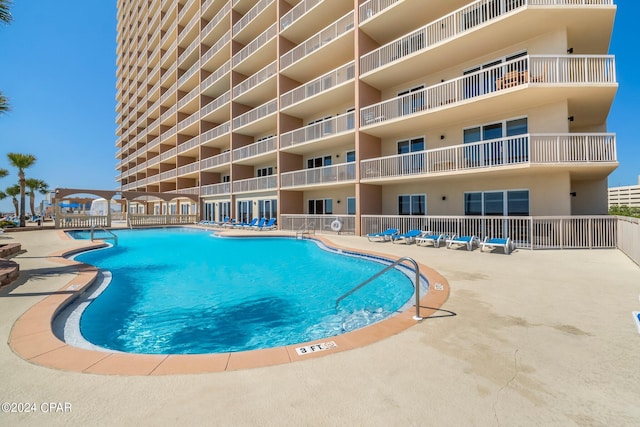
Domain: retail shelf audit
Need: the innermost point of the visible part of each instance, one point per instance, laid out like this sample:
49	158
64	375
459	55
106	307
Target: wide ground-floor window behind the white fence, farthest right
499	203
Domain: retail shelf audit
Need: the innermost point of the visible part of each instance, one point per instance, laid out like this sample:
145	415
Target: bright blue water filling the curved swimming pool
185	291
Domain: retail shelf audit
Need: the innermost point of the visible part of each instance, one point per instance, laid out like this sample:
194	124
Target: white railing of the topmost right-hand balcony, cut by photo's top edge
454	24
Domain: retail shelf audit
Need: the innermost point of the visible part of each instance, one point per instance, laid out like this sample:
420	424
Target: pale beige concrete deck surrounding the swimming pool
532	338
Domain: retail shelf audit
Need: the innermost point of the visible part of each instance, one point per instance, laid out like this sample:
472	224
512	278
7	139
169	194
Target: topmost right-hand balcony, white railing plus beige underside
445	42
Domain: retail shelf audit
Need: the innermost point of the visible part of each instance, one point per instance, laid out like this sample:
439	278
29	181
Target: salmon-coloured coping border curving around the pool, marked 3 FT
32	337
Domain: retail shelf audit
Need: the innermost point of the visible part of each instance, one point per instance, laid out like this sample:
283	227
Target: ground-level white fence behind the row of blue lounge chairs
561	232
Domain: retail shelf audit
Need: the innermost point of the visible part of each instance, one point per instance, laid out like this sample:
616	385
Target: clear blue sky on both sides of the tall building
58	69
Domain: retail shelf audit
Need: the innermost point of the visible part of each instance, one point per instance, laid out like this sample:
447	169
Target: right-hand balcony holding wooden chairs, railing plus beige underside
587	81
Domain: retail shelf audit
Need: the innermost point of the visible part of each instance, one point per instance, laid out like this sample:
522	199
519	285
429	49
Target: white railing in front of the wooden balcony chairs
532	69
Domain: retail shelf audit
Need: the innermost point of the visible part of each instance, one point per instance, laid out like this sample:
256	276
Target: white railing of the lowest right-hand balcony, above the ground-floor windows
509	151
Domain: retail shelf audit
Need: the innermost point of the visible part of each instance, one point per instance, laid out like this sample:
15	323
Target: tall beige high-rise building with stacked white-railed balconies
361	110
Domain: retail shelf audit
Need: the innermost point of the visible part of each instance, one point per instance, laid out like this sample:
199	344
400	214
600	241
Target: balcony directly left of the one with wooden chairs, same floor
333	132
